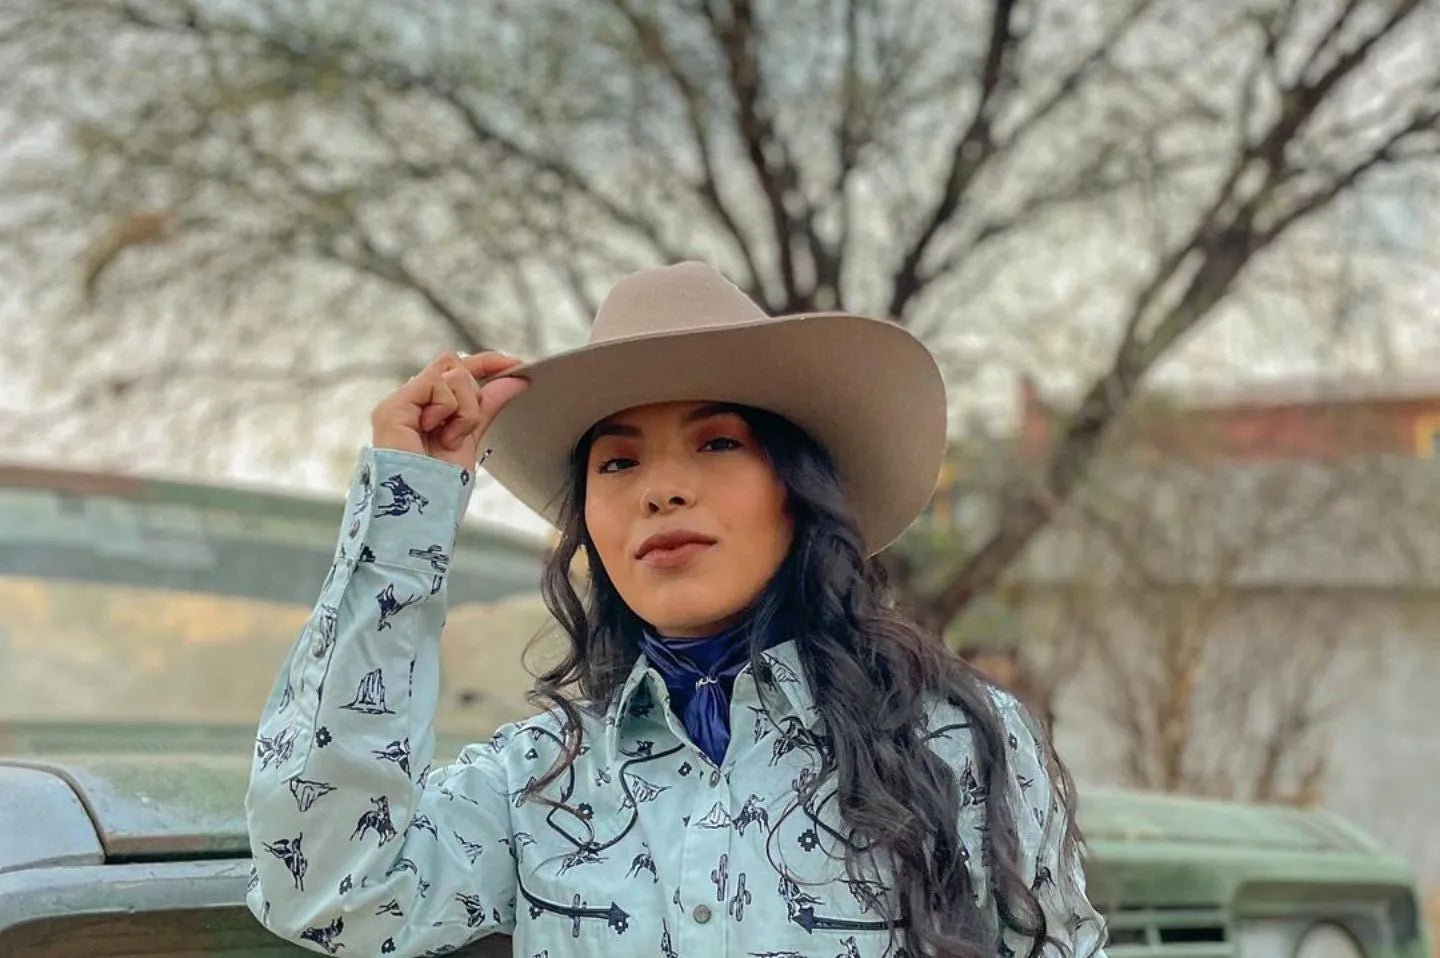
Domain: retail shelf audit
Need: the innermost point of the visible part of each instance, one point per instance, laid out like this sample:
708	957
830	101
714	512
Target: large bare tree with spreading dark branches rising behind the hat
483	169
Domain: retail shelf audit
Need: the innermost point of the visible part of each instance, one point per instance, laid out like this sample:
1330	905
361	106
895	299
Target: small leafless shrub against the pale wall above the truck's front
1187	661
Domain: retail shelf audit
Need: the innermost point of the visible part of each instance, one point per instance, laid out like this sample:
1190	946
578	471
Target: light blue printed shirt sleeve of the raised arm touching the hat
358	846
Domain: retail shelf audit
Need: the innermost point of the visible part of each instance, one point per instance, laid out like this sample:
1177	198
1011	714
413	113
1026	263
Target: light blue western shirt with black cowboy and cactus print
643	845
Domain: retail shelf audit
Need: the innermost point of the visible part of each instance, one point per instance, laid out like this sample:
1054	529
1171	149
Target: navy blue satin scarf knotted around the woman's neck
701	676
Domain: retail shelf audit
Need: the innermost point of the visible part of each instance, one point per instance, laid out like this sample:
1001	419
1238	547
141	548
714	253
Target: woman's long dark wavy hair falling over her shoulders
873	672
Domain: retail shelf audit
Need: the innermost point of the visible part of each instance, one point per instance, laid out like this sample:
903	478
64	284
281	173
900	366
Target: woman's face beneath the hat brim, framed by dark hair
686	514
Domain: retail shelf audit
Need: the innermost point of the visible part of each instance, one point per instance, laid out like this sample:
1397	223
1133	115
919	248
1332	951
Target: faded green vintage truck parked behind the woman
140	629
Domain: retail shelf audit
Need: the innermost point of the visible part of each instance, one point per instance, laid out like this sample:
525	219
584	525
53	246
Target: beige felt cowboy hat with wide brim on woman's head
866	390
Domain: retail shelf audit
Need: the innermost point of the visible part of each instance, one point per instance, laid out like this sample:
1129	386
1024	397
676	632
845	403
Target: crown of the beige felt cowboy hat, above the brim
688	296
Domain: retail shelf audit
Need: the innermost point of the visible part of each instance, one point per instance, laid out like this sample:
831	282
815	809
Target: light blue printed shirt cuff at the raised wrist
404	509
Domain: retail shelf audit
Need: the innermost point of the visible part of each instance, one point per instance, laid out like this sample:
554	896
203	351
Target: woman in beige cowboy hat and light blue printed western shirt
748	751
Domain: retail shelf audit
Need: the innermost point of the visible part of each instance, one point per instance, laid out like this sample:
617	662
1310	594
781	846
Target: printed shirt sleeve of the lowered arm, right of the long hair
1058	877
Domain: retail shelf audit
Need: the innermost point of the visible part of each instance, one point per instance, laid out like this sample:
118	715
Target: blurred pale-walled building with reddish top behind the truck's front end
1243	601
